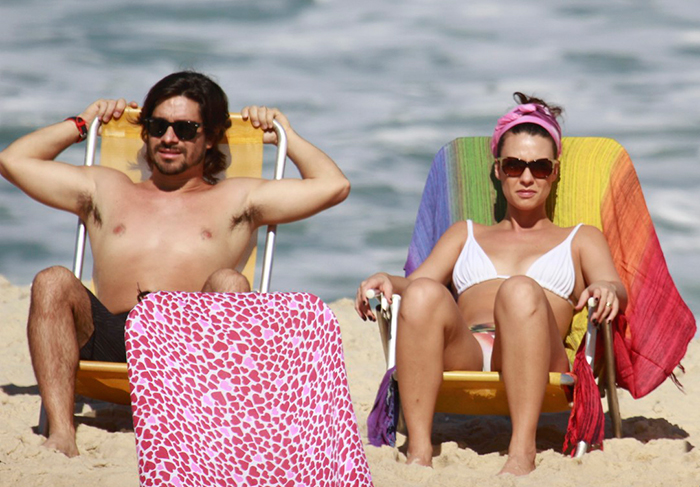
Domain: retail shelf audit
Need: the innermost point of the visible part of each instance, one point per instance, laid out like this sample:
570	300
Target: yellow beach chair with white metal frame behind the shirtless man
122	148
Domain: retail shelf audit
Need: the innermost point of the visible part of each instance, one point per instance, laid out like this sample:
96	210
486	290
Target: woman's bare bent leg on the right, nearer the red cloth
528	346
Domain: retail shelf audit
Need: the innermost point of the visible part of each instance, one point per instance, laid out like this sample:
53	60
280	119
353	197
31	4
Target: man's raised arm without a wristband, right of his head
322	185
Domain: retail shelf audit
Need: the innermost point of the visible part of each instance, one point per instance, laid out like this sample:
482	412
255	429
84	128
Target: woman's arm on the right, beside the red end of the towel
603	281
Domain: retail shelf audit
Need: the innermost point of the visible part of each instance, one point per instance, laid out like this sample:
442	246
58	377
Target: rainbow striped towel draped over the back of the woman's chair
598	186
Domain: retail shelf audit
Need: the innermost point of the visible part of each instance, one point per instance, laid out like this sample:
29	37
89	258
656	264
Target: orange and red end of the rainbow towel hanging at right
653	336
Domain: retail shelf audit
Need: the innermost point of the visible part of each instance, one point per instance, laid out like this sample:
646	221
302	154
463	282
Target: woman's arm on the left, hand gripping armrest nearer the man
437	266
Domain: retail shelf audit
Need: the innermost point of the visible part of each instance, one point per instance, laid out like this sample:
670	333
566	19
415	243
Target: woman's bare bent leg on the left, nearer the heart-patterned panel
432	337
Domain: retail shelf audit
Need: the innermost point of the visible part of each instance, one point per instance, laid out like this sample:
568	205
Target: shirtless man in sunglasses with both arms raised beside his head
175	231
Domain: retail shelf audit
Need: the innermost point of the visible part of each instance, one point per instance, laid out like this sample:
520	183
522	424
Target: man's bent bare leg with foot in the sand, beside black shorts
60	322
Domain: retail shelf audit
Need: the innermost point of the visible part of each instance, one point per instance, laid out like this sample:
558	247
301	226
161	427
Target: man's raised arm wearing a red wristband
29	164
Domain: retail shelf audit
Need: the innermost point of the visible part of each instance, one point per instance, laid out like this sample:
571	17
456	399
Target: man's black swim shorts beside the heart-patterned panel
107	341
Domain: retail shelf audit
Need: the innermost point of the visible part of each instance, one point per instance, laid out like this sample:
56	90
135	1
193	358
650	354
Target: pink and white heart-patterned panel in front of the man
241	389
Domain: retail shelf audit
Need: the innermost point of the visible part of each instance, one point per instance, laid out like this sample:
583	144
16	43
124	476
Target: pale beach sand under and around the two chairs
659	448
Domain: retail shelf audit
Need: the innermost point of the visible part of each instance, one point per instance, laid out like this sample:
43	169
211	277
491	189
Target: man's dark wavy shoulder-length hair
213	108
